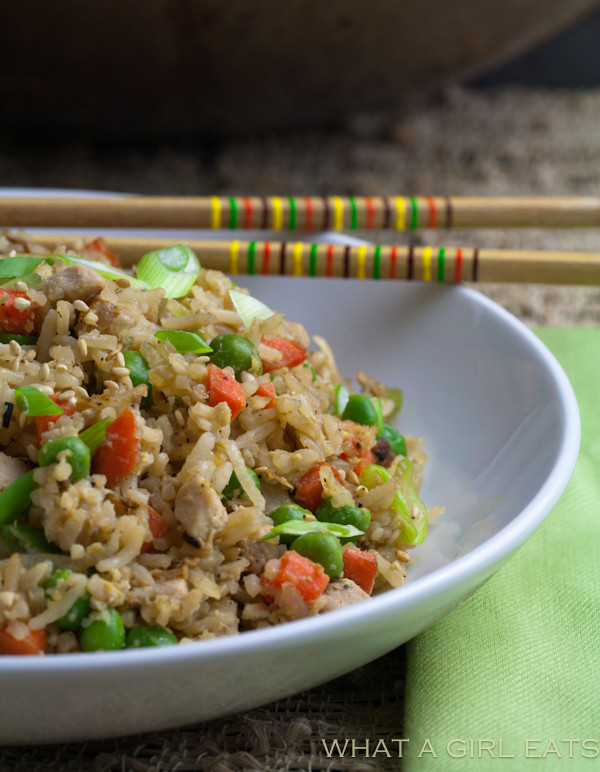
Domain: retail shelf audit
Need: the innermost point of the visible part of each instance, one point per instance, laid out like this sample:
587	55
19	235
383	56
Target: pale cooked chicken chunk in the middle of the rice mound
199	509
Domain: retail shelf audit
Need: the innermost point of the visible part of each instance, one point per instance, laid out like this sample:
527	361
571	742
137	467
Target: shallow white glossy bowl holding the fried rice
501	426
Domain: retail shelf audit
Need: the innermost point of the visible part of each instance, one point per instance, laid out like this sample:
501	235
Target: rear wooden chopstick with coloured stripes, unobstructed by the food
300	213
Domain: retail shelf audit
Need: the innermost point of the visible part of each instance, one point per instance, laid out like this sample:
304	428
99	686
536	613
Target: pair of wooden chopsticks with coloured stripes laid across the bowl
337	213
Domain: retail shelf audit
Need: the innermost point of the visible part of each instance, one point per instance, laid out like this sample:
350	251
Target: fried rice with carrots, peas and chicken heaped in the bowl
161	539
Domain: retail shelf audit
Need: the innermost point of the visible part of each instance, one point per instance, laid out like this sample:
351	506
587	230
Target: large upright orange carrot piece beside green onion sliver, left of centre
120	451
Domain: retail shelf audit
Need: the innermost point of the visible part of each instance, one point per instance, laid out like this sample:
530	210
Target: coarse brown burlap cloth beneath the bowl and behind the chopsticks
504	142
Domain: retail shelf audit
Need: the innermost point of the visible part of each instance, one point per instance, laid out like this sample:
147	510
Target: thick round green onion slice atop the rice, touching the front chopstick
174	269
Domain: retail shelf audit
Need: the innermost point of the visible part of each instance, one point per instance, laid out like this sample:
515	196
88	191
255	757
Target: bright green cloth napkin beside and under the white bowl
511	678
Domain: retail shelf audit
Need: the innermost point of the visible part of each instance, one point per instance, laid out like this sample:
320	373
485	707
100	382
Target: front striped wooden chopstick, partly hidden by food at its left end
434	264
